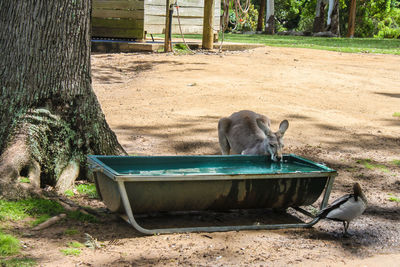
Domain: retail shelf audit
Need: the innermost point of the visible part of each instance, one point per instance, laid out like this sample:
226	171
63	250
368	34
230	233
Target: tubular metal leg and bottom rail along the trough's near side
132	221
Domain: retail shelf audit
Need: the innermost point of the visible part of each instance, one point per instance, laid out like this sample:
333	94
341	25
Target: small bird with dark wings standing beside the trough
345	208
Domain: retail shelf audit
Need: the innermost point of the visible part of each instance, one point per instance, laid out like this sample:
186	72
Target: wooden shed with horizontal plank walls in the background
134	18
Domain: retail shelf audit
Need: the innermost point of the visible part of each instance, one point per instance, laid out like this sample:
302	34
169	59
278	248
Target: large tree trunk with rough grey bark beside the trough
50	116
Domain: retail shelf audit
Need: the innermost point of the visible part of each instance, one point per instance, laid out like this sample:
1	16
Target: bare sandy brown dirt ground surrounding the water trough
340	109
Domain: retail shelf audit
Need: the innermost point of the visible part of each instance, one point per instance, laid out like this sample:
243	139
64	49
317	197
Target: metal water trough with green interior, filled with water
146	184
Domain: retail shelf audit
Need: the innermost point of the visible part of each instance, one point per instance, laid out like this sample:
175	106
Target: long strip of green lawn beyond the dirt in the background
348	45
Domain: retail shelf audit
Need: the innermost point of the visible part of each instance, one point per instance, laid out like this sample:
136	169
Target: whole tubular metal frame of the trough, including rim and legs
130	218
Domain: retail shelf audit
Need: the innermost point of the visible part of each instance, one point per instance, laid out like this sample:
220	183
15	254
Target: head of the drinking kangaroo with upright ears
274	141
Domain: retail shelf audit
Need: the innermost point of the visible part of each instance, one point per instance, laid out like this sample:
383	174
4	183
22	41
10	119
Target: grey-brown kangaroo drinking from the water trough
248	133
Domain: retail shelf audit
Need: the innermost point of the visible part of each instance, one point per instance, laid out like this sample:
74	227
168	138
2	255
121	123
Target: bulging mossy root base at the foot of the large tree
42	151
